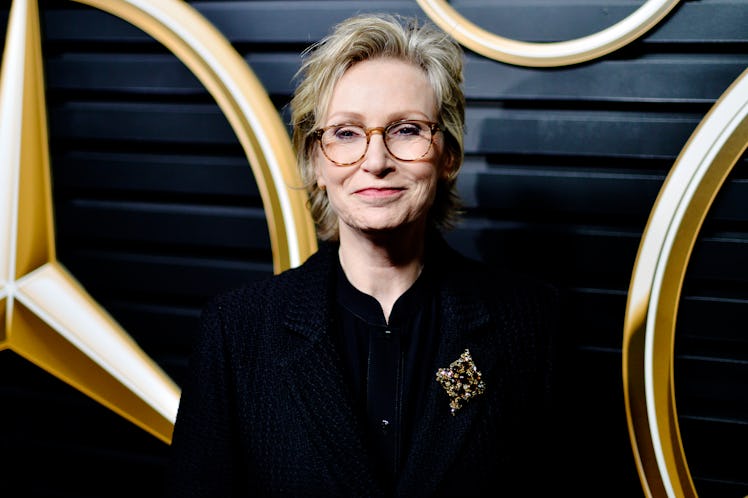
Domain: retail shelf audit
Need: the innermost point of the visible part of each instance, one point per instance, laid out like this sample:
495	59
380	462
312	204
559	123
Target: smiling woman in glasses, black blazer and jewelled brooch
387	364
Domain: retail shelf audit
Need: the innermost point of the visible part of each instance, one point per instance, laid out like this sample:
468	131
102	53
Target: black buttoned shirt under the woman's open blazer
389	364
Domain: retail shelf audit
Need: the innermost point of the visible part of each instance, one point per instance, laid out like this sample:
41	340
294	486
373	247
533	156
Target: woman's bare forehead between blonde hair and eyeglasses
383	89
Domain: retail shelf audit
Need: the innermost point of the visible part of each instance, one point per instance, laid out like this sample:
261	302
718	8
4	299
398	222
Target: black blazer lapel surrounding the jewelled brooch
439	435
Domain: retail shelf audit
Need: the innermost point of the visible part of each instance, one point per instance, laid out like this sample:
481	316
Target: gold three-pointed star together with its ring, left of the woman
45	314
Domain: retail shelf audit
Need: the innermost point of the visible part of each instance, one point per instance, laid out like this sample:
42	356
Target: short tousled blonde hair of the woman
371	36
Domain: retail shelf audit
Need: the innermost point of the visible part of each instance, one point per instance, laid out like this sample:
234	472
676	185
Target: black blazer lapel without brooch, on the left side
313	373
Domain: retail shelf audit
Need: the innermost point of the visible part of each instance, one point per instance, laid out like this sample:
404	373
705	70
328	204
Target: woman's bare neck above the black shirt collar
382	265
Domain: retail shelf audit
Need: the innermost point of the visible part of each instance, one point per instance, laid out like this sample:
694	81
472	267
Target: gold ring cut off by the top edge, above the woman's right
547	54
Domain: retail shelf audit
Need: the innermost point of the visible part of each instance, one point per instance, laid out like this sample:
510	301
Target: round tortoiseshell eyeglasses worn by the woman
406	140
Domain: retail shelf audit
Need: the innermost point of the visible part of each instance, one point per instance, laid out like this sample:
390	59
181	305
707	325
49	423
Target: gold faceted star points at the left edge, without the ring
45	314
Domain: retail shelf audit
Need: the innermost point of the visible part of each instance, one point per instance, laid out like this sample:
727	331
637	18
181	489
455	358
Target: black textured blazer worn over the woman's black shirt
266	410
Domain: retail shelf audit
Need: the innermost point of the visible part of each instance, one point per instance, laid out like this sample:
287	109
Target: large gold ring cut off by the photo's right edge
654	293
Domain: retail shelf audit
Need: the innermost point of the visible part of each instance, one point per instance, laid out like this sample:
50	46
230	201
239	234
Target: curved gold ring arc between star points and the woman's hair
247	107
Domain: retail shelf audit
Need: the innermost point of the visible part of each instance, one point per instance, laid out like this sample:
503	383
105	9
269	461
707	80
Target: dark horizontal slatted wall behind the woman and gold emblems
156	210
